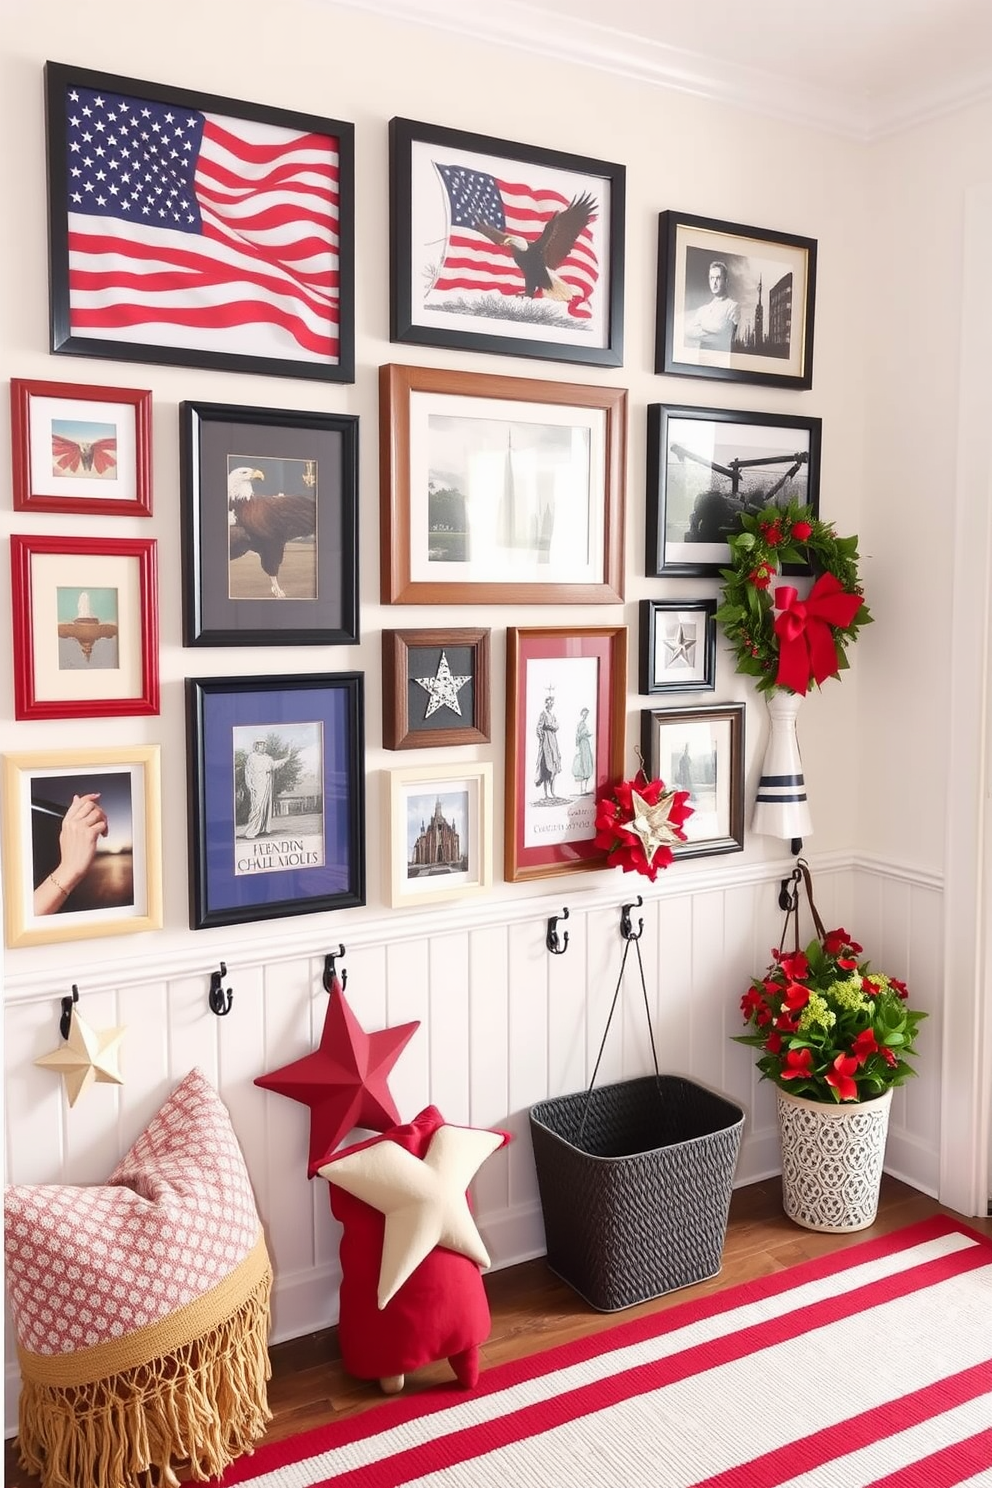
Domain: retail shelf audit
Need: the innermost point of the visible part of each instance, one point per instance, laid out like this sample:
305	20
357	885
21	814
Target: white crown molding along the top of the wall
530	29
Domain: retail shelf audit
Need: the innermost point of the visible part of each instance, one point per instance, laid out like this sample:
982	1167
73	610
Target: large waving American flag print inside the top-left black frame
202	231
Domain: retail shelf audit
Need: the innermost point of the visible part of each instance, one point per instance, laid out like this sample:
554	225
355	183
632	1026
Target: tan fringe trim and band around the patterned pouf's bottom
199	1405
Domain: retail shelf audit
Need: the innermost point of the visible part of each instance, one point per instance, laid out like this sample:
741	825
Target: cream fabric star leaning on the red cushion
423	1200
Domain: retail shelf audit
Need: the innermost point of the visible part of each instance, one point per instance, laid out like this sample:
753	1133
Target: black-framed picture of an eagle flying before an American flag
493	310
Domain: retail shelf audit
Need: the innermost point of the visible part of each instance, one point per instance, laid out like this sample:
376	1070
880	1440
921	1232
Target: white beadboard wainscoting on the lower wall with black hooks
503	1024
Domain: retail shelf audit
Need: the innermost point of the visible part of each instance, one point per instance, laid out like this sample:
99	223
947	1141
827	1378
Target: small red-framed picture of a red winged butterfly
80	449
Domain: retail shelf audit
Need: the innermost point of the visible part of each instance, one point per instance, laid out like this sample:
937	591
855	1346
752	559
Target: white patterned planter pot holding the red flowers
832	1161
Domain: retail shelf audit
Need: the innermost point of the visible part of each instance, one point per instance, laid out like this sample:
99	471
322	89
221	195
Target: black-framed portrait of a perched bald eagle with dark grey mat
234	559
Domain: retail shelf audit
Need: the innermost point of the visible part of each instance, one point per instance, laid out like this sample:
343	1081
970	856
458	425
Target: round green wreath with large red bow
807	641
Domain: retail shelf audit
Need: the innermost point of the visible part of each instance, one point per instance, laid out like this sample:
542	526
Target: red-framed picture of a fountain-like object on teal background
86	627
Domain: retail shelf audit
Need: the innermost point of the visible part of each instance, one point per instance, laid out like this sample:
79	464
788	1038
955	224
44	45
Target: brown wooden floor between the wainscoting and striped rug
533	1310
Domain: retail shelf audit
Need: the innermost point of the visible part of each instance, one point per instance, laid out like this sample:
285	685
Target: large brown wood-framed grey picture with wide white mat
500	490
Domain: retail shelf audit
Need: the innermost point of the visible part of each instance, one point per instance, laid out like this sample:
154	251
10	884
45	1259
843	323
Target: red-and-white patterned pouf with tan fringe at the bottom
142	1309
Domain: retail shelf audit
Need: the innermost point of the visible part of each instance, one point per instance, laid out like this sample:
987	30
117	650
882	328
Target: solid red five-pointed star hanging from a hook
344	1080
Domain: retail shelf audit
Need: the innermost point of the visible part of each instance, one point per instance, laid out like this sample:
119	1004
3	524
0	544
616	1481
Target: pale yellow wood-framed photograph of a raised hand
83	844
